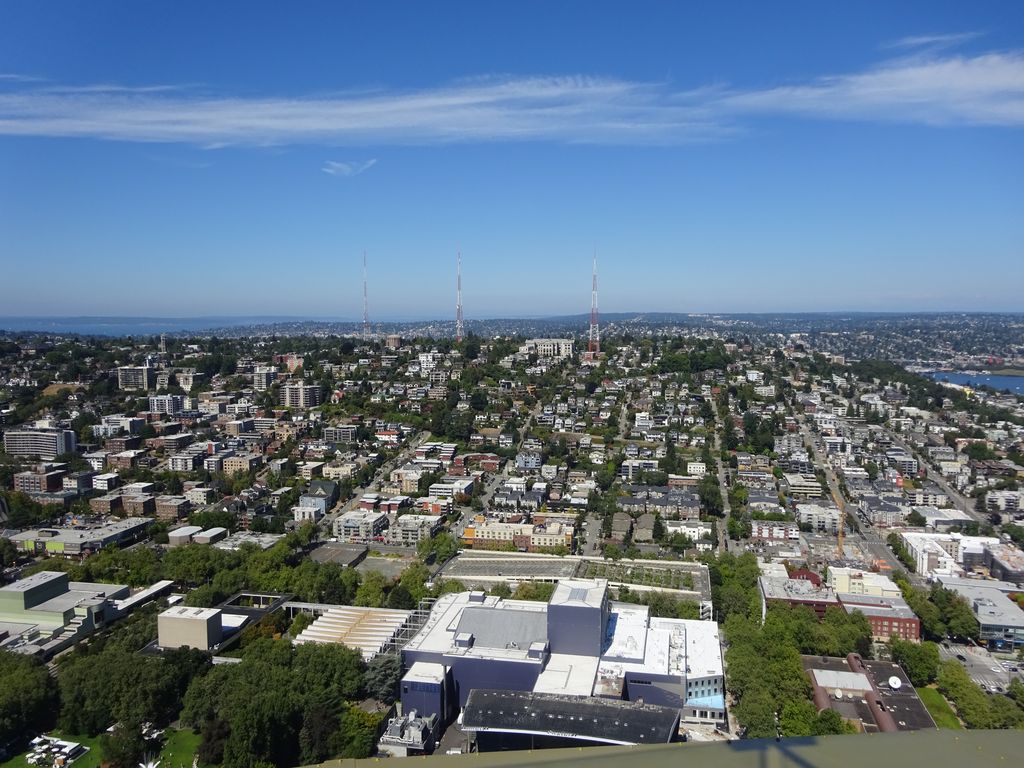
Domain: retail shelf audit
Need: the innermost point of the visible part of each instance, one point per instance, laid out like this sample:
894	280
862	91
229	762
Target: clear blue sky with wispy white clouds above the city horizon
237	158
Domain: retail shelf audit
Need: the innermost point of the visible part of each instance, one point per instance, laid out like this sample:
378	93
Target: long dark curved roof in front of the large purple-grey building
590	719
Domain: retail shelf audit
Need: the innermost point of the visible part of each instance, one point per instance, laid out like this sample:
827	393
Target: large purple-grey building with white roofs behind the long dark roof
578	645
